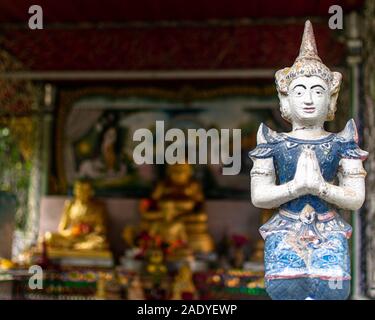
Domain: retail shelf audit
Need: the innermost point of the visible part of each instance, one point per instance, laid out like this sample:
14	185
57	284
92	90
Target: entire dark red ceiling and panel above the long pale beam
67	46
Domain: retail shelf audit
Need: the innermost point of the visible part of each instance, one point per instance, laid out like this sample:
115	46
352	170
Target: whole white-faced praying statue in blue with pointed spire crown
308	174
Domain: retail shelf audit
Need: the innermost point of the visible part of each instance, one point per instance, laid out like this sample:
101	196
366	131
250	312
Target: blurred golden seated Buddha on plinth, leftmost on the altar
83	223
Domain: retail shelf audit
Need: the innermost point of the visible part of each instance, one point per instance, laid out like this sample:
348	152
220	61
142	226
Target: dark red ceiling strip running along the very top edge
60	11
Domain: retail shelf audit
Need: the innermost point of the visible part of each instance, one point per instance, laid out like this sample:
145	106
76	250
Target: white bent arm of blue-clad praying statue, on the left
264	191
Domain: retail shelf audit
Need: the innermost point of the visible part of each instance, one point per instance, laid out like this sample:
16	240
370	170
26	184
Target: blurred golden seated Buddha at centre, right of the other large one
187	196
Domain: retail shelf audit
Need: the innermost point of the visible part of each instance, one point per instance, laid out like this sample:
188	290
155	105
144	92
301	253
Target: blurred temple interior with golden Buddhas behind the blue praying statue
74	200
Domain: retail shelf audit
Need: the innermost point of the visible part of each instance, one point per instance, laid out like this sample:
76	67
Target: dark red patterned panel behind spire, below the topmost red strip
261	46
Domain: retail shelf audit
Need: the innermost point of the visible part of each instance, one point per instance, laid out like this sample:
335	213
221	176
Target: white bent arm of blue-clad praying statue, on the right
350	193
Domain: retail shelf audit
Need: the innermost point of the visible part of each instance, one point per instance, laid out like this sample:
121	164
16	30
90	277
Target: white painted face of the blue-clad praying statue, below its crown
308	100
